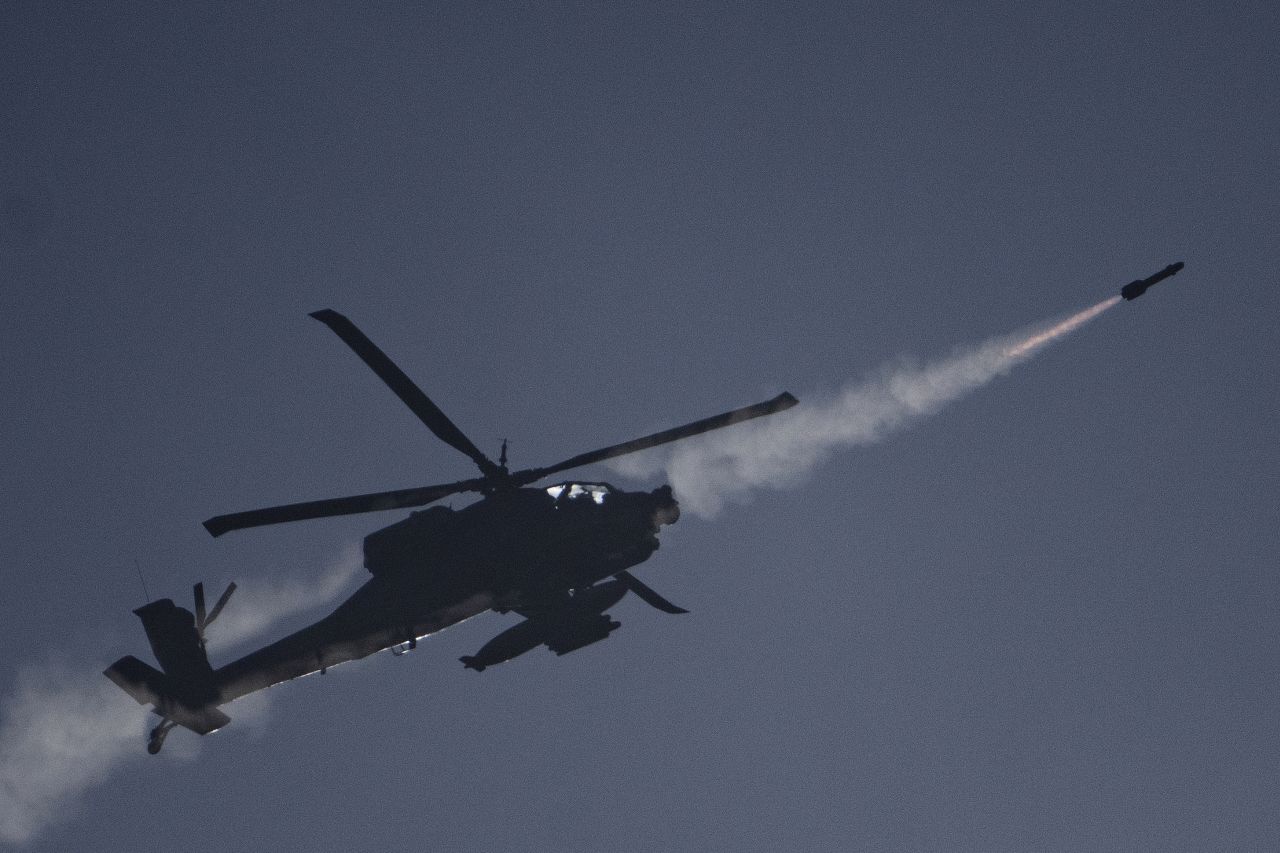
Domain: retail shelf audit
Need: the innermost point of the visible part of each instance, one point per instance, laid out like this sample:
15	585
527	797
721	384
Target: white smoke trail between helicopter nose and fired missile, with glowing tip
780	451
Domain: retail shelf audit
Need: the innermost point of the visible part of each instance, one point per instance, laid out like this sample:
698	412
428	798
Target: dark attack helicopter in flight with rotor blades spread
559	556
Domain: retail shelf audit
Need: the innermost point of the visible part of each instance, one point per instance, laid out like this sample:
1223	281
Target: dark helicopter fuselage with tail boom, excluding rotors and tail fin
441	567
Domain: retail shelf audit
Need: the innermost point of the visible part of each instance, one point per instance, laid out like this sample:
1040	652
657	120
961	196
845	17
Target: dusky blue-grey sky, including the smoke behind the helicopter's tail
1044	618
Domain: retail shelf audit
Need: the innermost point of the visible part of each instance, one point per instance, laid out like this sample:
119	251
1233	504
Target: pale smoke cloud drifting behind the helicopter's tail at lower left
66	731
